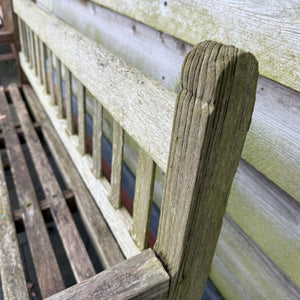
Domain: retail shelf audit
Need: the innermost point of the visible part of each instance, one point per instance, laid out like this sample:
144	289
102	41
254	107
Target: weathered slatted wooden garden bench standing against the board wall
199	154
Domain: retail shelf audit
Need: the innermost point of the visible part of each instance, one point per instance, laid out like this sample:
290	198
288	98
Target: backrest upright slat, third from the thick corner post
97	139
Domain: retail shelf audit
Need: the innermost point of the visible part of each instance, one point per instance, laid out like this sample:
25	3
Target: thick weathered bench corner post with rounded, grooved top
212	116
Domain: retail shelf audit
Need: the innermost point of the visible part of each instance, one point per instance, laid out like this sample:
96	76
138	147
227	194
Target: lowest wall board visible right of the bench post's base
241	270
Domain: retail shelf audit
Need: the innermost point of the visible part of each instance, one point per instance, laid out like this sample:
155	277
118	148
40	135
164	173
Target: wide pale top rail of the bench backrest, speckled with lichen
137	92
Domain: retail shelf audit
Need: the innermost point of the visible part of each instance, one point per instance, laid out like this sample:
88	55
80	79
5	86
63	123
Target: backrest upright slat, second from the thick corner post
116	165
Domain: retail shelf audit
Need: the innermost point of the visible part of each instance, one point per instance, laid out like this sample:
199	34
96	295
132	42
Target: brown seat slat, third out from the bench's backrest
46	267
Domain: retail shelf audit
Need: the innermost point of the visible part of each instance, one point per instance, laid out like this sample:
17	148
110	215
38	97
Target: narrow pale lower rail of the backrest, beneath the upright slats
99	188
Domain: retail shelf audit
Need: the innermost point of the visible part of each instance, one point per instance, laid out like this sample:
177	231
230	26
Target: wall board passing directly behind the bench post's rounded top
275	130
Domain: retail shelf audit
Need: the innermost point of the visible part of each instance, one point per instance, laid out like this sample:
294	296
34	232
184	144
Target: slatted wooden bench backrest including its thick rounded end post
199	154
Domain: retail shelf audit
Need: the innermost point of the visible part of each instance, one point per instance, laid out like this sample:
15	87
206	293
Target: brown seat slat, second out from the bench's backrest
76	252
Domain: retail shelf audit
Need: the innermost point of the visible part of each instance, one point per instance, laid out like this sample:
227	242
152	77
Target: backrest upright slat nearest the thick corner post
144	184
